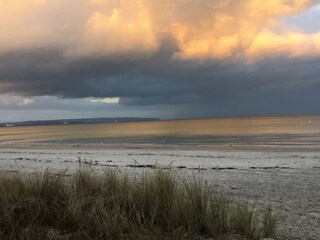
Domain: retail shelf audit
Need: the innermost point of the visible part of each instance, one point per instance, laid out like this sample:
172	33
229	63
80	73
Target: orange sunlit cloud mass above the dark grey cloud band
201	28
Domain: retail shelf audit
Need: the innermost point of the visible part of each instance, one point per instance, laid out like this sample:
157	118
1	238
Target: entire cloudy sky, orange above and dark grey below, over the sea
158	58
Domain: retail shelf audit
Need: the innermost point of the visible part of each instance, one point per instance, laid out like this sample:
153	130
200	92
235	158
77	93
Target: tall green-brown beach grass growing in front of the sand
158	205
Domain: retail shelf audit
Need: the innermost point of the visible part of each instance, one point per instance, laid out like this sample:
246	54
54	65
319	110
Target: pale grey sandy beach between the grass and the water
286	179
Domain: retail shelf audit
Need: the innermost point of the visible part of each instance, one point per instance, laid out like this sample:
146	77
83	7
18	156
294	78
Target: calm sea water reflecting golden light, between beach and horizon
299	130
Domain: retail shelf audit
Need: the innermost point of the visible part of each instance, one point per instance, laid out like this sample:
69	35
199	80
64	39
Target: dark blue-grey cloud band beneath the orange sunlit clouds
275	85
